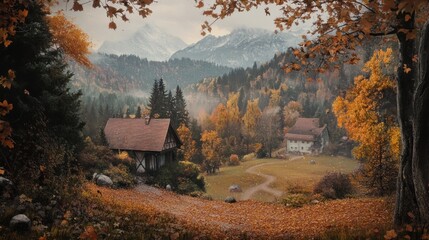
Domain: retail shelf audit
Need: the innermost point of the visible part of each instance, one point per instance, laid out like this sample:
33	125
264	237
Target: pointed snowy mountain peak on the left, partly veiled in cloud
148	42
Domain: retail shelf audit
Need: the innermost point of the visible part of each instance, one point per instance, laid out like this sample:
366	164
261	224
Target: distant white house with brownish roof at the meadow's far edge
306	136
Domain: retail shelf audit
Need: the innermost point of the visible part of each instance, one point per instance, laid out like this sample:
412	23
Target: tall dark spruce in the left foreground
45	118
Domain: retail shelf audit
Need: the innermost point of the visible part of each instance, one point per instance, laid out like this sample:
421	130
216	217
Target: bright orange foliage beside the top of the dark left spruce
70	38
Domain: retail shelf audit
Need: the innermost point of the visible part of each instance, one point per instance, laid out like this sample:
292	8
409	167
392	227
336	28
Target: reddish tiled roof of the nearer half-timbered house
134	134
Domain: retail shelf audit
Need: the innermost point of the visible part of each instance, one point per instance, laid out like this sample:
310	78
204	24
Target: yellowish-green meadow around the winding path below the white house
297	175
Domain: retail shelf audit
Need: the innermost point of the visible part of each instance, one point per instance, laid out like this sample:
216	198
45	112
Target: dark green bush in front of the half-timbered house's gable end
183	177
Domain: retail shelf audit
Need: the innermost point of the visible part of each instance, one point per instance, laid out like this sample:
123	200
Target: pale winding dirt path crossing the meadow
265	186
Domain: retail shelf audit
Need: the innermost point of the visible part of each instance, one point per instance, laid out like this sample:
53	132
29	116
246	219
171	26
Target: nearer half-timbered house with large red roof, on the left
150	142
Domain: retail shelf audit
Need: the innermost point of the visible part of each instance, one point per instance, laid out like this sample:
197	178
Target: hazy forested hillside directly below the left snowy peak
131	74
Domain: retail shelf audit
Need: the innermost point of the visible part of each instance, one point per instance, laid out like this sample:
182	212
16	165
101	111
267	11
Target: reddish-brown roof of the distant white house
305	129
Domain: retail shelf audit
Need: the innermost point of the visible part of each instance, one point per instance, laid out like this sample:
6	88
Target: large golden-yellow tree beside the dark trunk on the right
367	112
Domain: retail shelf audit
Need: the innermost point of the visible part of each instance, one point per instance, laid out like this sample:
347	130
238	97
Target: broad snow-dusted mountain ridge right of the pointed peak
241	48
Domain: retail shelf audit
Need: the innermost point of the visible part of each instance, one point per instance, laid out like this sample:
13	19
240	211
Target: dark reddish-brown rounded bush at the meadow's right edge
333	186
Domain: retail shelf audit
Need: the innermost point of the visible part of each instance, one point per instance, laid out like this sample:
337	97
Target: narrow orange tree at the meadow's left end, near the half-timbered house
211	149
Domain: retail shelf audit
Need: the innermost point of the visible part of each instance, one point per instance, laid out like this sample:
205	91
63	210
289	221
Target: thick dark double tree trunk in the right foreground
413	110
